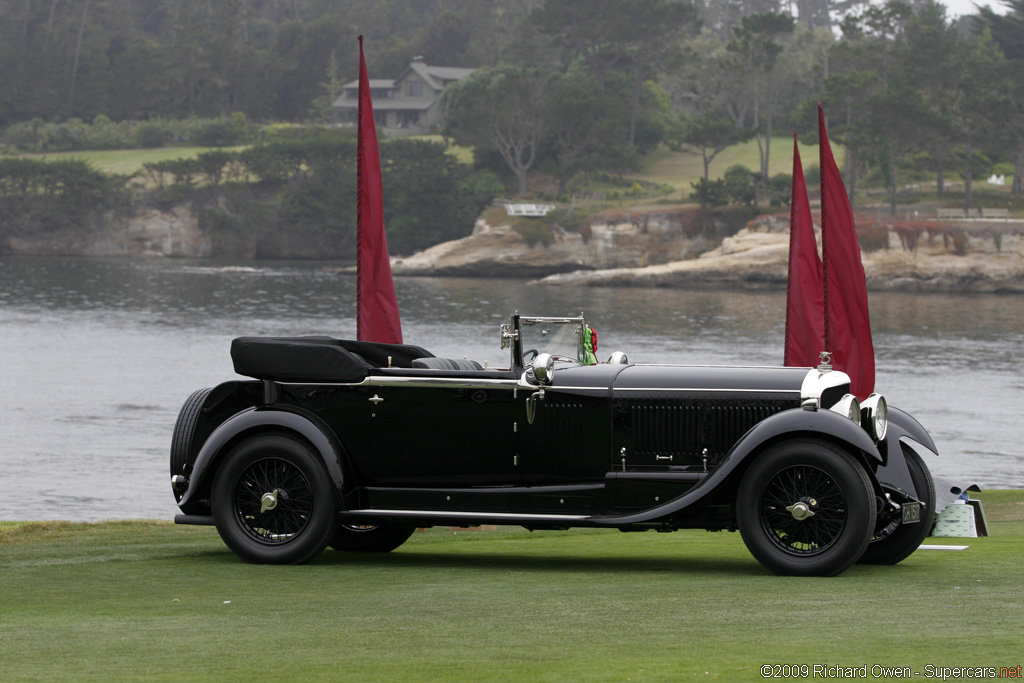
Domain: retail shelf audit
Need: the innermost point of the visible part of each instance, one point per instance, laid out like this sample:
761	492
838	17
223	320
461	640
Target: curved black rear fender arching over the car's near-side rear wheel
260	419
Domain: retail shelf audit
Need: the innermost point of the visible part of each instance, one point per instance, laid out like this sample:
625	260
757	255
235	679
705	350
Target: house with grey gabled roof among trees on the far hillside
410	104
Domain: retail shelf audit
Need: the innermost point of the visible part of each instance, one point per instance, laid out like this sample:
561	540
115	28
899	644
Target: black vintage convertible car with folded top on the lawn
355	445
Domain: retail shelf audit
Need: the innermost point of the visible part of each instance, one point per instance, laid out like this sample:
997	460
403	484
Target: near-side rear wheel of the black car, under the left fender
273	502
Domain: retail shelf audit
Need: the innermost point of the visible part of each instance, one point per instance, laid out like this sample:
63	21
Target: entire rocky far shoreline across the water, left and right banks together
638	248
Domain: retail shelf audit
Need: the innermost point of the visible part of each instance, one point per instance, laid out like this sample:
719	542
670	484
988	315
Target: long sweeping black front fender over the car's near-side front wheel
793	423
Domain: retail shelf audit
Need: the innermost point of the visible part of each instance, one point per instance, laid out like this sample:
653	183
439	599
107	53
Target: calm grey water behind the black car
98	357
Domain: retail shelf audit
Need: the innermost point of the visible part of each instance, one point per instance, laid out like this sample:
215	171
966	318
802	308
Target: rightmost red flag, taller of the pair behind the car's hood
848	330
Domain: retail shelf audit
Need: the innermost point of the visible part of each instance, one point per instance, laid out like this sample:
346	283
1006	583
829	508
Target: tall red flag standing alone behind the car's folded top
376	304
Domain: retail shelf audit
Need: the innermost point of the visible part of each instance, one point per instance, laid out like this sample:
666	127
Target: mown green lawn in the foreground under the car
154	602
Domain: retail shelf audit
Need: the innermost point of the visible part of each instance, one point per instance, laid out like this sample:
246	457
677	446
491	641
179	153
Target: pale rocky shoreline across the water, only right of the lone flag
621	254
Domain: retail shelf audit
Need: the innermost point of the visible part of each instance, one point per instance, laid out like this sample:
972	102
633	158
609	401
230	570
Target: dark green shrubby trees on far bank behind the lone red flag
429	196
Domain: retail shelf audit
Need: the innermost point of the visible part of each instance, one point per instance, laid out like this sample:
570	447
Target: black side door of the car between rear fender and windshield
443	432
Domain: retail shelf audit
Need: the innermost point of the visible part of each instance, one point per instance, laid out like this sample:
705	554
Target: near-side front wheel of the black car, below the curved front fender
781	491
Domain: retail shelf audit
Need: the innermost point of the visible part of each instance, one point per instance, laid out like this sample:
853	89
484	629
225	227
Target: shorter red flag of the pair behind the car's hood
804	308
